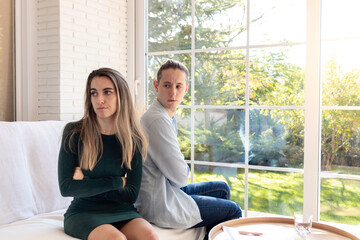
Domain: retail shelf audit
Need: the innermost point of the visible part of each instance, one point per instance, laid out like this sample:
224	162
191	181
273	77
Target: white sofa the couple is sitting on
31	206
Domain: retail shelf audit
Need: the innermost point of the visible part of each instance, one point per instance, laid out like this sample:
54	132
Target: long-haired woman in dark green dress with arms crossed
96	154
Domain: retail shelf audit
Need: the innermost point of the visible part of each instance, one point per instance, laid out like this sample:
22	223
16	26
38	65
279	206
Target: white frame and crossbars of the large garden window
312	107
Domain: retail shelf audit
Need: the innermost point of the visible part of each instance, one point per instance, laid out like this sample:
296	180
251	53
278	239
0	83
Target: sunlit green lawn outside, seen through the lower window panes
282	193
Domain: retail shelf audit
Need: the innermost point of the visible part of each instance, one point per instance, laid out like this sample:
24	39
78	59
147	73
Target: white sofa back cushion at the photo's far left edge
16	198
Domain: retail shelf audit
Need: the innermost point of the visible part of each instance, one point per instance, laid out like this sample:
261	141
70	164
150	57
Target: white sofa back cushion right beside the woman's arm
43	141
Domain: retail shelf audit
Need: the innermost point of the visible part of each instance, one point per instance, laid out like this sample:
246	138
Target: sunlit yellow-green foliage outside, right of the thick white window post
340	128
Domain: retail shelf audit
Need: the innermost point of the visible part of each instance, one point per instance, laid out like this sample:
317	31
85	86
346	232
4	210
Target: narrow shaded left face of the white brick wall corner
48	59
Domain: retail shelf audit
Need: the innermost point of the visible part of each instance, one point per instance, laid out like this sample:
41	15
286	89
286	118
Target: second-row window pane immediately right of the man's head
220	78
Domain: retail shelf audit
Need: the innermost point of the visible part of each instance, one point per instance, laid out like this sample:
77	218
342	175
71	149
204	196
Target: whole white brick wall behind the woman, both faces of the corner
74	38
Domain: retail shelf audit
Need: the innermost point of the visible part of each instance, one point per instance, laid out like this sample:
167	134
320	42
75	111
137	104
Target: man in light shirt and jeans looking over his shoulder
165	199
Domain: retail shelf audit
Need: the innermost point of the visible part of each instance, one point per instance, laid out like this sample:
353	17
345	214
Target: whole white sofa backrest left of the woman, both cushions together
28	169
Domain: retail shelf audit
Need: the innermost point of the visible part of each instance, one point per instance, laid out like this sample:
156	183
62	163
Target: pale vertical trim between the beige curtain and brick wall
26	100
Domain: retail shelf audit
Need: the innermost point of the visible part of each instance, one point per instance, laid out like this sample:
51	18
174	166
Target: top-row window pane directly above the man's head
169	25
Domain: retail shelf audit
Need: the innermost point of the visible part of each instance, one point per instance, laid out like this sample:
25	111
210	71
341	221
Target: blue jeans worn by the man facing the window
213	201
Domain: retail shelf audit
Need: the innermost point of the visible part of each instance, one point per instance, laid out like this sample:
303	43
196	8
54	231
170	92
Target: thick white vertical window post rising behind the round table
312	146
